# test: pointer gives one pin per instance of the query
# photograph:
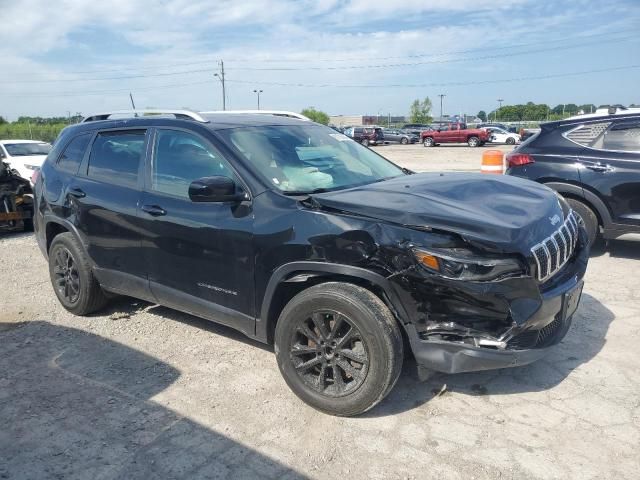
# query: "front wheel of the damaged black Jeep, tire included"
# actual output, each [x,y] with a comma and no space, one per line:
[367,369]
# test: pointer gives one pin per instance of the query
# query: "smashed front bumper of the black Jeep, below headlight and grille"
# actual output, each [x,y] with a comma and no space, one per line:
[506,318]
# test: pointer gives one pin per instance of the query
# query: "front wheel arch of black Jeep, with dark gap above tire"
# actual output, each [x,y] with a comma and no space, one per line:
[292,278]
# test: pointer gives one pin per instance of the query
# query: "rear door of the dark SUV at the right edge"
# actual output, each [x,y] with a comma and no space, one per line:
[611,168]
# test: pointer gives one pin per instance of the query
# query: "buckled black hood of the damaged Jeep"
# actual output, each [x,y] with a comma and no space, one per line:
[509,212]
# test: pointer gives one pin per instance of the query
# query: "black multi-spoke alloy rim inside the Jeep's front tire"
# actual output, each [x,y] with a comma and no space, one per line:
[329,354]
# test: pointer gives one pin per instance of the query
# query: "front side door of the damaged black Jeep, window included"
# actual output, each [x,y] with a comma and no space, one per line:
[199,255]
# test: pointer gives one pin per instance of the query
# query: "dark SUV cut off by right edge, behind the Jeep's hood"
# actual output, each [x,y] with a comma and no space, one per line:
[594,162]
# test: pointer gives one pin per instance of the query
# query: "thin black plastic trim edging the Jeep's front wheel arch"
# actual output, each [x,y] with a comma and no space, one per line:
[287,270]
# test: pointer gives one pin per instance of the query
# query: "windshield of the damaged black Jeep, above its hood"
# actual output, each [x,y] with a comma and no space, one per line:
[309,158]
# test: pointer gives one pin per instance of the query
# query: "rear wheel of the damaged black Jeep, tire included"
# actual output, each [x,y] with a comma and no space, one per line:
[72,278]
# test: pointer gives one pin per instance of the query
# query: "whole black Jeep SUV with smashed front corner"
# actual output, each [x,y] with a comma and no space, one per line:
[297,235]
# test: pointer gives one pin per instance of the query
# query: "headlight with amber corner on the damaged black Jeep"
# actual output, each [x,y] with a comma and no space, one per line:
[460,264]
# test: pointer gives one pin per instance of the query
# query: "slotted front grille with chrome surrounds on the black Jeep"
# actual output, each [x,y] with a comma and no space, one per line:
[554,251]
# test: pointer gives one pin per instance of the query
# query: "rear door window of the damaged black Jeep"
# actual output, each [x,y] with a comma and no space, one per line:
[115,157]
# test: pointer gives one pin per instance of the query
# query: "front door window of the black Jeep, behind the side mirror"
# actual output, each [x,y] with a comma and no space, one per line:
[179,158]
